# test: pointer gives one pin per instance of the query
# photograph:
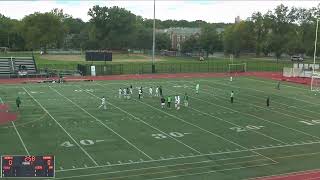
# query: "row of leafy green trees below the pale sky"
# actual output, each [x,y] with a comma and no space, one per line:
[282,30]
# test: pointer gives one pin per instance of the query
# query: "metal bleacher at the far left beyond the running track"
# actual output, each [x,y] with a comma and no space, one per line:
[10,66]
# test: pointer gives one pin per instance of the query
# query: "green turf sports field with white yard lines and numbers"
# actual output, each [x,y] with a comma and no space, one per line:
[136,139]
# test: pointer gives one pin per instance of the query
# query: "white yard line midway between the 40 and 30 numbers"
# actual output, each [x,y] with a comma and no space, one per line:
[106,126]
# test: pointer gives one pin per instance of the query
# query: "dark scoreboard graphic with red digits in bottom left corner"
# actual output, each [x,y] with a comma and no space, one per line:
[27,166]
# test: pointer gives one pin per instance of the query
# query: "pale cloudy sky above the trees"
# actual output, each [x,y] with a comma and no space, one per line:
[212,11]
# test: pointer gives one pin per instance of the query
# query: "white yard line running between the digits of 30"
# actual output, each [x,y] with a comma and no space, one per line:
[157,129]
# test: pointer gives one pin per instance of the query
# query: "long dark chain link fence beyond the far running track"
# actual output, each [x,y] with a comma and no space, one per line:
[185,67]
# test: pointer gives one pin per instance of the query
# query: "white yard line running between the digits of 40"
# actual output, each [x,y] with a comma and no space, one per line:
[81,148]
